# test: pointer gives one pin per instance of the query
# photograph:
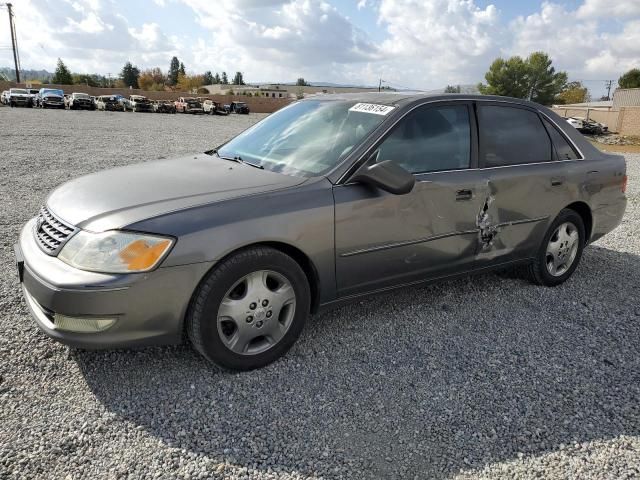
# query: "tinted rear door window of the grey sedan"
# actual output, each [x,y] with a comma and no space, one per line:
[511,136]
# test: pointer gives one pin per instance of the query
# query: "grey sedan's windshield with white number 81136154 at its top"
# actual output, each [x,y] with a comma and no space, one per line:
[307,138]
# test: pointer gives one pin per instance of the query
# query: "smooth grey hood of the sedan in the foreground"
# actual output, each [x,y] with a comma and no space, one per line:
[121,196]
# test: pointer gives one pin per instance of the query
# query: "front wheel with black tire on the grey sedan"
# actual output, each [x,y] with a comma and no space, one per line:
[250,309]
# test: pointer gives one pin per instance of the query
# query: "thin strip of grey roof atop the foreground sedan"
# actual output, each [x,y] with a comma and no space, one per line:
[406,97]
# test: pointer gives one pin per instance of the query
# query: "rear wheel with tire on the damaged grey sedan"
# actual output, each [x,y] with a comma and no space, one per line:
[561,250]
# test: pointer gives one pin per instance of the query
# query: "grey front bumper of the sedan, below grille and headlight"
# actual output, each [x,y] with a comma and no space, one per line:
[149,308]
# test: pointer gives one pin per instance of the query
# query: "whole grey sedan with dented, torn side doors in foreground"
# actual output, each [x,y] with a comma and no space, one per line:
[324,201]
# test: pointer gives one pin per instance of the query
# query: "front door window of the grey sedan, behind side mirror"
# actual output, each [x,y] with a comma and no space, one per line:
[430,139]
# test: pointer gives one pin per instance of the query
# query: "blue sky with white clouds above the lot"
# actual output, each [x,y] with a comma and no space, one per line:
[418,44]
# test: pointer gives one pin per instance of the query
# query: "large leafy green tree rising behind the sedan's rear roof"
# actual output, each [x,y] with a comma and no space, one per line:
[534,78]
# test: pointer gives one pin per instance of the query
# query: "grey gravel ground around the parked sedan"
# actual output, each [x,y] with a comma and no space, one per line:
[485,377]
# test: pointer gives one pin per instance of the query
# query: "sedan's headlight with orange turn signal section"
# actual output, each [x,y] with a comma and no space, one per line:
[115,252]
